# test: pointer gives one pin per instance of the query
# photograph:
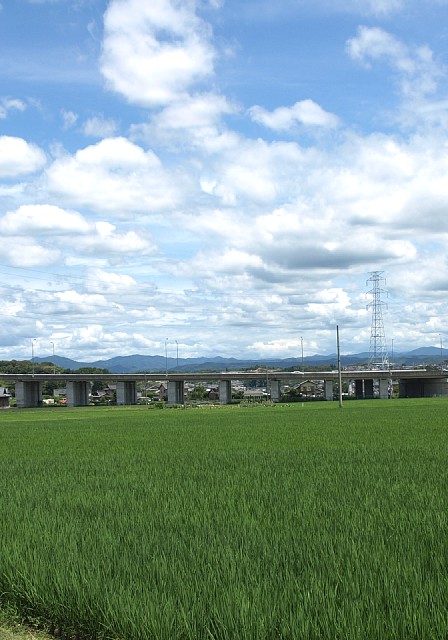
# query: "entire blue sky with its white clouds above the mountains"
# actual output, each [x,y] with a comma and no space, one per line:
[223,174]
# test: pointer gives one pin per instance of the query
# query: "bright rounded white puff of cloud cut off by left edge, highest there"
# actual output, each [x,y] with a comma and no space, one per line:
[19,157]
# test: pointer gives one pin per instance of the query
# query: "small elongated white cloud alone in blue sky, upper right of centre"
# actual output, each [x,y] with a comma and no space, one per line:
[306,113]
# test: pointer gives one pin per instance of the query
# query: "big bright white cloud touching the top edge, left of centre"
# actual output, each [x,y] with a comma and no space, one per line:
[155,52]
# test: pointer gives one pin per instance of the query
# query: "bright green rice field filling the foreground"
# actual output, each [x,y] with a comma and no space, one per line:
[287,522]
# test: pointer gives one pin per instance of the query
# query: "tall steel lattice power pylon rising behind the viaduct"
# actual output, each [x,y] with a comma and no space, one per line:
[378,356]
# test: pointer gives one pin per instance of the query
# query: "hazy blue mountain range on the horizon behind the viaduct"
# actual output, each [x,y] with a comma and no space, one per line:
[154,364]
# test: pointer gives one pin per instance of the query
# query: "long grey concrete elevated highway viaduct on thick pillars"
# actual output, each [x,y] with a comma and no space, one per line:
[412,383]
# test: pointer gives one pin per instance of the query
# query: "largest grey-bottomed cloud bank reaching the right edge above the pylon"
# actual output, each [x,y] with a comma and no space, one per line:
[285,211]
